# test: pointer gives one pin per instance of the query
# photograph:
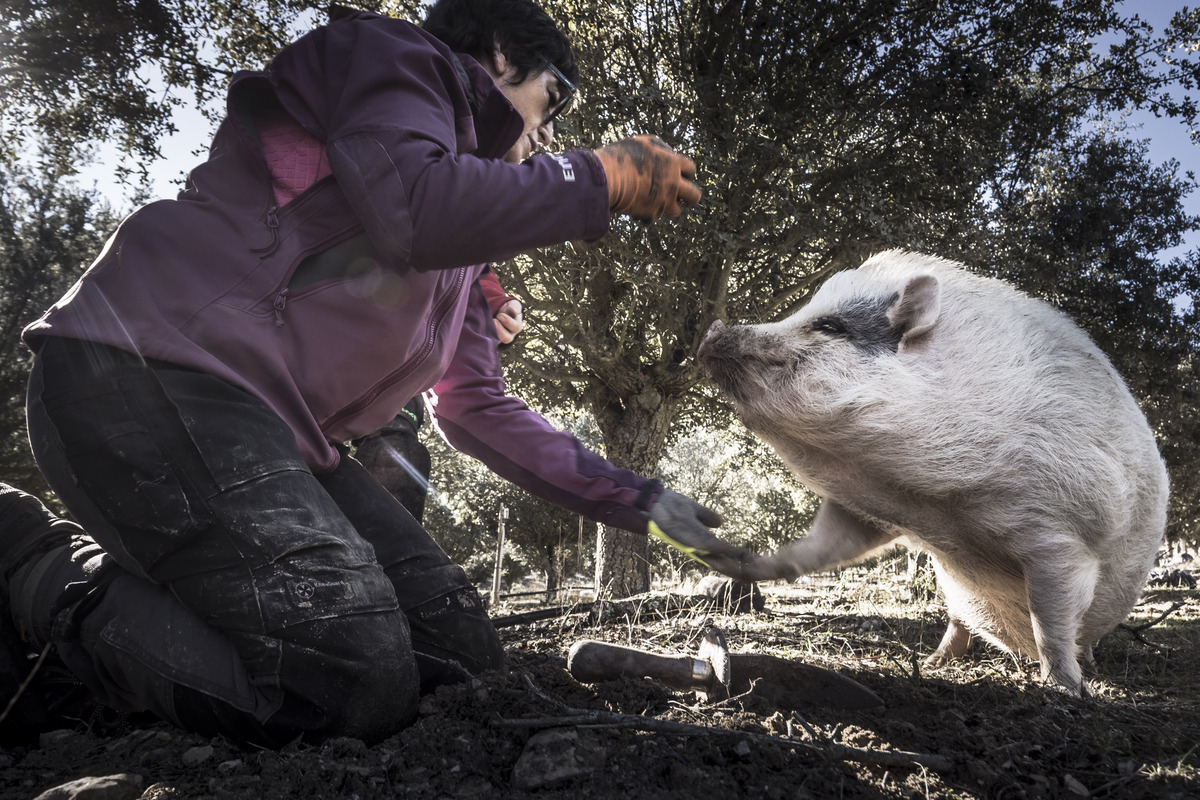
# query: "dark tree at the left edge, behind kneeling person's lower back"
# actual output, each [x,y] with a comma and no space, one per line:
[50,232]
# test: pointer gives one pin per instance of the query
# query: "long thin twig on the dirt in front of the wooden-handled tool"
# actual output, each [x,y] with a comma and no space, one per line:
[890,759]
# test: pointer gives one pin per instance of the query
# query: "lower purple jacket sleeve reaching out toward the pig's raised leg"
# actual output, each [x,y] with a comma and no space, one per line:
[479,419]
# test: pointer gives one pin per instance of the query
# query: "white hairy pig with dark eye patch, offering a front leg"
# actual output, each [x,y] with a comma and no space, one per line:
[950,412]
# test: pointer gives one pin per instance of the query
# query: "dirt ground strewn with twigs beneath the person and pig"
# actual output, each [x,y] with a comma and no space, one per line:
[983,727]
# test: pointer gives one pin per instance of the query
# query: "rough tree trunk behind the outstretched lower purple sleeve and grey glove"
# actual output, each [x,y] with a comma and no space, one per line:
[635,434]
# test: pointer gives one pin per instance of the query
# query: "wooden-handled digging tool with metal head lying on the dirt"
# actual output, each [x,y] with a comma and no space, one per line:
[717,673]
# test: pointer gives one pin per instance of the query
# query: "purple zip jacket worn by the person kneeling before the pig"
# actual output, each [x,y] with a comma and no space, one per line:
[362,292]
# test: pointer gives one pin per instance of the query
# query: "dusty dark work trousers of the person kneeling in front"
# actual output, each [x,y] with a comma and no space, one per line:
[238,593]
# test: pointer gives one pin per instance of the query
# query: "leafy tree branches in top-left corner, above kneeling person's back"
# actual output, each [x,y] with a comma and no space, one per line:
[77,73]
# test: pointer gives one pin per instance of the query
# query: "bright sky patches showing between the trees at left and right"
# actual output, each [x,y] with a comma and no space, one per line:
[1168,140]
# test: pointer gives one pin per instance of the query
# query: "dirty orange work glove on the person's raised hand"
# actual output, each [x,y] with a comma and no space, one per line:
[647,179]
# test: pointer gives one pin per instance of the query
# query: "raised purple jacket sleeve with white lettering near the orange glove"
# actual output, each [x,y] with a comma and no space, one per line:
[399,118]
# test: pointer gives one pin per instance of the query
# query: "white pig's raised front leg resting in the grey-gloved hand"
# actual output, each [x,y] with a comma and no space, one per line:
[837,538]
